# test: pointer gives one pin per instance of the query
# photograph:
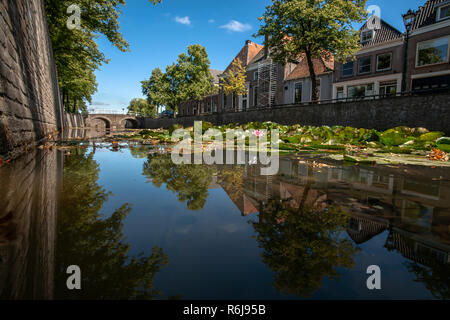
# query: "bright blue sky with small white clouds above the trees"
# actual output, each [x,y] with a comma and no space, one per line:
[157,34]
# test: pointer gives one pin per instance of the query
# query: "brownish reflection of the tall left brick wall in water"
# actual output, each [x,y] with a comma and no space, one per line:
[29,195]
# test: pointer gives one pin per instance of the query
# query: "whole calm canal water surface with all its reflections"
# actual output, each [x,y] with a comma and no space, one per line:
[140,227]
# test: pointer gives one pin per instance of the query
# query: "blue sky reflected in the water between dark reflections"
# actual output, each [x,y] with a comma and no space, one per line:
[212,251]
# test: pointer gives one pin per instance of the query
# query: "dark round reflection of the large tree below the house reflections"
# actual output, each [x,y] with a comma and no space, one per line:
[303,248]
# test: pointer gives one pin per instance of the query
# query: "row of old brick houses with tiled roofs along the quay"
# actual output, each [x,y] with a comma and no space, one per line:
[390,62]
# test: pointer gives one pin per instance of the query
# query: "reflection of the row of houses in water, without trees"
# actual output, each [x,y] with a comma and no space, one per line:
[375,197]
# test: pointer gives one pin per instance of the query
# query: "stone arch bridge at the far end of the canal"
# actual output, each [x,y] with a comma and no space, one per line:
[112,121]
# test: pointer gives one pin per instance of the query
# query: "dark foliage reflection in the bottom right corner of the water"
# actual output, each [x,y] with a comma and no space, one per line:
[436,278]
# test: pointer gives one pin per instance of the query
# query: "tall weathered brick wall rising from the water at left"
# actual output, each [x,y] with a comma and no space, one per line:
[30,108]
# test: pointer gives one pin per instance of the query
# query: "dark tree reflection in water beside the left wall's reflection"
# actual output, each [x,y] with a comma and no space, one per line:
[95,243]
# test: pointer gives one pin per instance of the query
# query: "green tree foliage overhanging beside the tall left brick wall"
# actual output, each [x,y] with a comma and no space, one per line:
[76,52]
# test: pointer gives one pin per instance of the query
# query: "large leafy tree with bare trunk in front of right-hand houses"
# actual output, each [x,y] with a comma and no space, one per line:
[315,28]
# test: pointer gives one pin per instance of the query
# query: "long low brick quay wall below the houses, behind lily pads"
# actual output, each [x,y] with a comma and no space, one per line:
[430,111]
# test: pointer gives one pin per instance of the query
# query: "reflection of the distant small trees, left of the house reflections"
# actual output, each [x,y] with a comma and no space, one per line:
[189,182]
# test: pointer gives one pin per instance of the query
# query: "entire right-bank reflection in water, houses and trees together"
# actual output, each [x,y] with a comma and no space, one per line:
[304,211]
